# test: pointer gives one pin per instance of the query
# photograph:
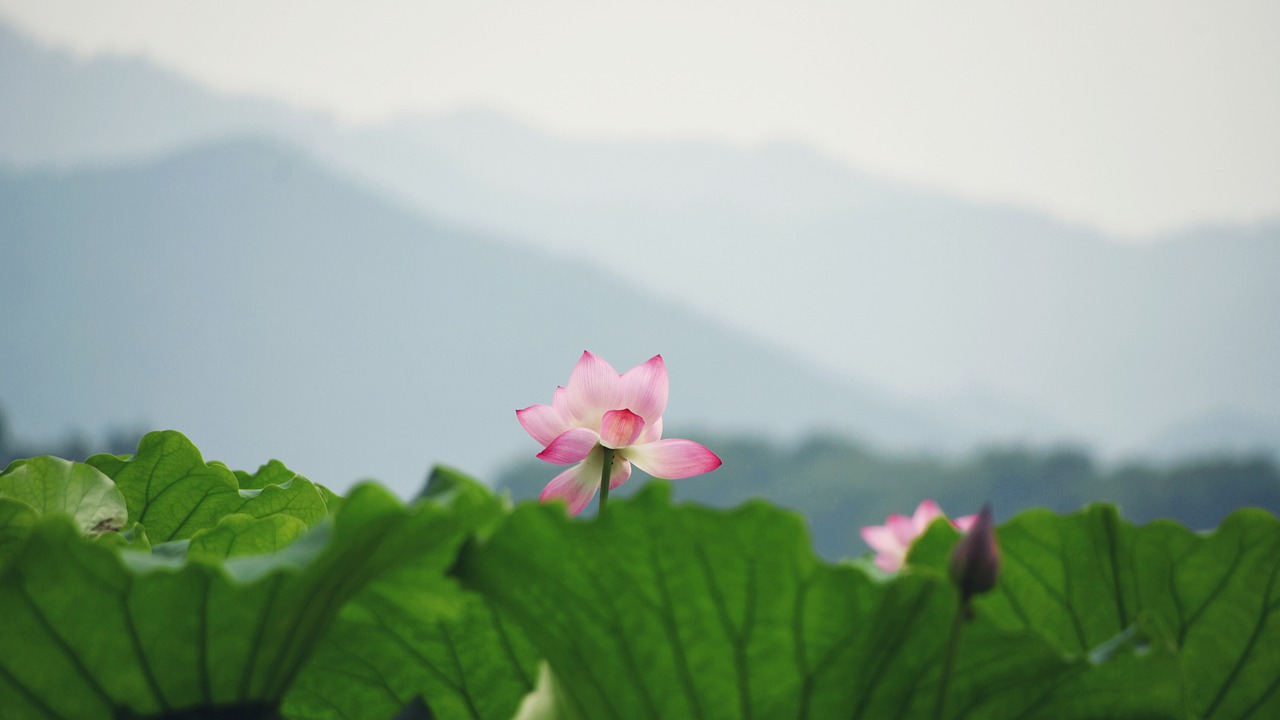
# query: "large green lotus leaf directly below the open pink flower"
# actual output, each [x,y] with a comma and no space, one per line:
[661,612]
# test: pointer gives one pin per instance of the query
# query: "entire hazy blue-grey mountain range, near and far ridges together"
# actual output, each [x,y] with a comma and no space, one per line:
[380,299]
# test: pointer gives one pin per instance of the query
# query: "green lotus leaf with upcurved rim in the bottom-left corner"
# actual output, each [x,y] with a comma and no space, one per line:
[93,634]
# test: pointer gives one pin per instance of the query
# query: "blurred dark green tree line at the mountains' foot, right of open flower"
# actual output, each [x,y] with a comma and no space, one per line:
[840,485]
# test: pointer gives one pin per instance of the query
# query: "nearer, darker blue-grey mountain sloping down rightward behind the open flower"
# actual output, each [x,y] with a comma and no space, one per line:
[243,294]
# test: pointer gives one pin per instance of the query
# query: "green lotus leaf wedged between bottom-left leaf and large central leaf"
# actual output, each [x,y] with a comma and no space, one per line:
[397,641]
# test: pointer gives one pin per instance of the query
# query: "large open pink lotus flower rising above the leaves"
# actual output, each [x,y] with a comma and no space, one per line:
[601,409]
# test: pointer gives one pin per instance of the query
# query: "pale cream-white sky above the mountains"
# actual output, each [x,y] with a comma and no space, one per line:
[1135,117]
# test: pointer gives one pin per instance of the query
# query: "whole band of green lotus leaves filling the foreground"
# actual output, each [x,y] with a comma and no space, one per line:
[272,599]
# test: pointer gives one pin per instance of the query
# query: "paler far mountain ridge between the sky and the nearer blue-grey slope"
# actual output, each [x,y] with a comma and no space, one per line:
[994,320]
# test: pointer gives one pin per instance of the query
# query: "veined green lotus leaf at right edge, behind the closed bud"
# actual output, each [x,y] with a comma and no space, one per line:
[1081,580]
